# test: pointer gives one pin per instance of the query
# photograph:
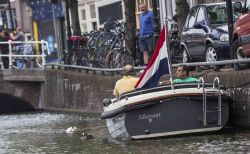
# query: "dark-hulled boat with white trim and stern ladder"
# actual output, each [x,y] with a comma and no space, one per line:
[163,111]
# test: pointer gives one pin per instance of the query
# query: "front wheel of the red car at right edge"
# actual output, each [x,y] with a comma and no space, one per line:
[237,53]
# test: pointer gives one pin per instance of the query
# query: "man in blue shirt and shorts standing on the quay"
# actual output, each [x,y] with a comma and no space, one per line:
[146,32]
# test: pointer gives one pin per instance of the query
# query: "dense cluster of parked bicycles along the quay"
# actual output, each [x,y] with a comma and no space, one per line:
[91,49]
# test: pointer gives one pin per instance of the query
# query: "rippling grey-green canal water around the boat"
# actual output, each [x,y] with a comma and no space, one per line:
[43,132]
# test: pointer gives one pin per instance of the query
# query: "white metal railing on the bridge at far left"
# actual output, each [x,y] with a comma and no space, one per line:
[12,55]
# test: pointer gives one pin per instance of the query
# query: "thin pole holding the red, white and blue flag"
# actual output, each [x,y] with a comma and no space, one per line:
[169,58]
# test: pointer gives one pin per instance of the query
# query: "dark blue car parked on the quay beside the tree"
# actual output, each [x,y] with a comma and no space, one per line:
[205,33]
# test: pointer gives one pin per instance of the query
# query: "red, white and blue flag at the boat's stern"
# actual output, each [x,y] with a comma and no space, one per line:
[157,66]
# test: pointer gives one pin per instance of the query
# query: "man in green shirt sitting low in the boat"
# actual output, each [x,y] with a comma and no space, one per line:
[182,74]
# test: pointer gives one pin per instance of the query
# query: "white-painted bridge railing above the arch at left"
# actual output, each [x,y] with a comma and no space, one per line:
[13,53]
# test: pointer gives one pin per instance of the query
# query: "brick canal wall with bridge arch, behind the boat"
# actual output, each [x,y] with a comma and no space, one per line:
[78,89]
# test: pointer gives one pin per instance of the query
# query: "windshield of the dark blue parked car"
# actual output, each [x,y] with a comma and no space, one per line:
[217,14]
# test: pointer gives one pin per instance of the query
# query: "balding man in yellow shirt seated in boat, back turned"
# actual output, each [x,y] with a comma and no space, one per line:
[127,83]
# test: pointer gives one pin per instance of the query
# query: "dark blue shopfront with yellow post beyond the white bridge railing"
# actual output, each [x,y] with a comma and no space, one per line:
[48,24]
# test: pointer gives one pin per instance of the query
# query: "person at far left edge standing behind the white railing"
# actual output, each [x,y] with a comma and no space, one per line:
[5,37]
